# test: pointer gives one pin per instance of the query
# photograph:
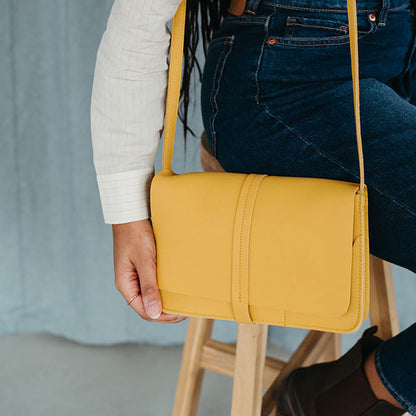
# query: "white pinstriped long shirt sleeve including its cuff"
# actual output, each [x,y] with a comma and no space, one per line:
[128,105]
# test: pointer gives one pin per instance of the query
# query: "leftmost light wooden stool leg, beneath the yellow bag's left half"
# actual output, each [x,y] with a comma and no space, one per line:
[191,374]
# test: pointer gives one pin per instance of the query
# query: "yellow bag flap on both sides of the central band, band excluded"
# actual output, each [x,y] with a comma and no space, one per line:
[301,230]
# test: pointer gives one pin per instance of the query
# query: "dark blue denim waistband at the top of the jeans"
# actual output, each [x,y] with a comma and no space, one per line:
[330,5]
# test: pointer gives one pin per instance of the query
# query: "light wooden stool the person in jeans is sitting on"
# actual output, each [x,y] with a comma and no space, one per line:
[247,362]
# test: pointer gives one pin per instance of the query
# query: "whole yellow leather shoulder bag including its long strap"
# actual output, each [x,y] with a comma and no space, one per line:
[253,248]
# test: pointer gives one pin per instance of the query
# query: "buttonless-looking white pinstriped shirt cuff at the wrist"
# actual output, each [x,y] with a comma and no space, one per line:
[125,196]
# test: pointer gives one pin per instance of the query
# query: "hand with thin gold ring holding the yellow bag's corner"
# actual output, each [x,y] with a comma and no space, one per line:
[134,250]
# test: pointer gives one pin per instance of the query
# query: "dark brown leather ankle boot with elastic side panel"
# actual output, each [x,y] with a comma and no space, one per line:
[336,388]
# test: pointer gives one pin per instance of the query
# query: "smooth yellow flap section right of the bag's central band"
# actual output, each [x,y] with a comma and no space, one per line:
[301,242]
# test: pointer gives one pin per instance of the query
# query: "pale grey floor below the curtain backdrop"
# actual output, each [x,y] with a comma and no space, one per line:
[44,375]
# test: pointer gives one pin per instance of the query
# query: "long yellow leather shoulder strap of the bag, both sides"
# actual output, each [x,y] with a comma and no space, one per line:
[174,82]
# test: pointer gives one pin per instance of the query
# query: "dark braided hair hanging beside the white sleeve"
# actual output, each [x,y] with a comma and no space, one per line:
[209,14]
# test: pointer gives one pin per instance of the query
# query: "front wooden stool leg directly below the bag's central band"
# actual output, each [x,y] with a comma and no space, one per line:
[249,366]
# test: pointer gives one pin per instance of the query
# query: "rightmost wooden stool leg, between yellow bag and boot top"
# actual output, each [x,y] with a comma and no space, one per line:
[383,310]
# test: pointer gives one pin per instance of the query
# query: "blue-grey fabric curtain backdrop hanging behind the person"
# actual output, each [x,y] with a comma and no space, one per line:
[56,272]
